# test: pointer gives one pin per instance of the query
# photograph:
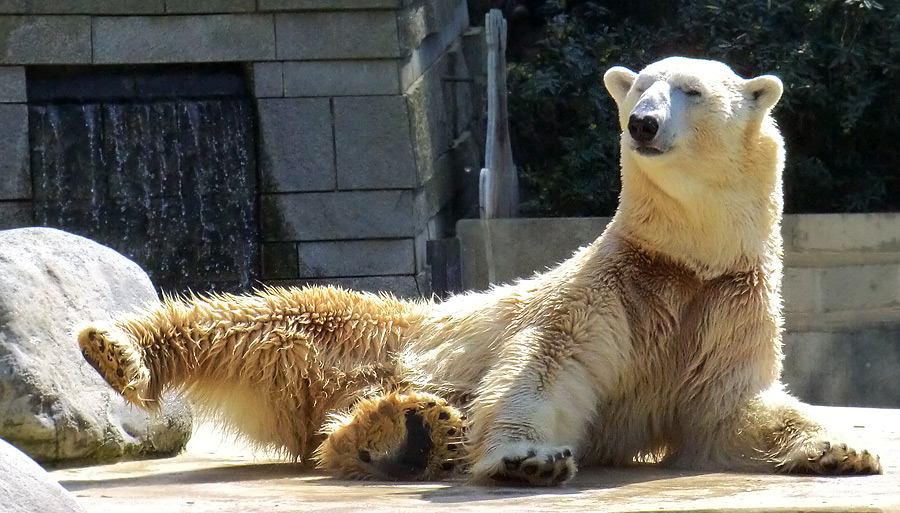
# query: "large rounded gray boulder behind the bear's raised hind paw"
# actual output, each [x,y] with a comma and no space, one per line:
[53,405]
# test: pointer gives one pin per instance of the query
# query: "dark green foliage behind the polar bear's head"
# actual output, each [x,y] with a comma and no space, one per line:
[840,114]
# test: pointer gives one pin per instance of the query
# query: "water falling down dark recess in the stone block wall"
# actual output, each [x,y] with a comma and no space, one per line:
[170,183]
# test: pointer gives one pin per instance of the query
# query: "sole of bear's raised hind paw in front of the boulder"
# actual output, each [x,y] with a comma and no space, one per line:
[118,361]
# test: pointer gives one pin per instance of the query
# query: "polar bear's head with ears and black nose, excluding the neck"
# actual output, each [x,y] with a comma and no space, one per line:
[681,110]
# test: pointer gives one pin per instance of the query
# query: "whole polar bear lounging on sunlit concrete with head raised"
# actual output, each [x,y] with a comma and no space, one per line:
[659,342]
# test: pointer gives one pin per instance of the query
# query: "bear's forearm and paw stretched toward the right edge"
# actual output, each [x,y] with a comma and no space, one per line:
[775,433]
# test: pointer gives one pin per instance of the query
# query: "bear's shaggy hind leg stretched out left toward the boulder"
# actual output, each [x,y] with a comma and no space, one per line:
[272,364]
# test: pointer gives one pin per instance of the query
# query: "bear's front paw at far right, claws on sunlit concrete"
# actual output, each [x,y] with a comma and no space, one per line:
[829,457]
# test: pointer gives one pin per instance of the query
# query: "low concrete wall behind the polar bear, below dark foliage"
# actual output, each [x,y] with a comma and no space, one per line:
[841,293]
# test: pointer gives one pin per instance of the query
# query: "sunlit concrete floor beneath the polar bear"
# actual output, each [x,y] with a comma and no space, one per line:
[216,474]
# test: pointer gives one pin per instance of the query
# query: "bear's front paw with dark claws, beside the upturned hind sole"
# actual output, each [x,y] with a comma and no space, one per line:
[526,463]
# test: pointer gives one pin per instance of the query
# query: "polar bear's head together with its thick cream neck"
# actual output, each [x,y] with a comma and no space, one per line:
[701,158]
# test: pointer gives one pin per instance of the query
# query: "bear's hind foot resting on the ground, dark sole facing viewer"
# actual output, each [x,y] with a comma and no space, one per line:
[398,436]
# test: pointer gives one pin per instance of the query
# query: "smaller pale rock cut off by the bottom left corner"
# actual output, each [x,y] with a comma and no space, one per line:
[26,488]
